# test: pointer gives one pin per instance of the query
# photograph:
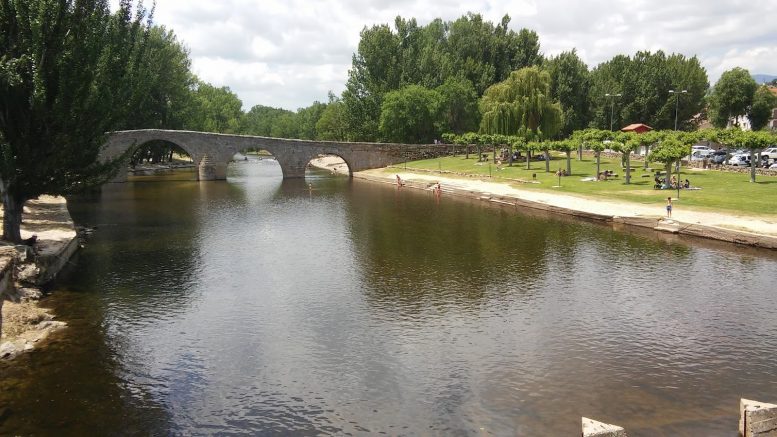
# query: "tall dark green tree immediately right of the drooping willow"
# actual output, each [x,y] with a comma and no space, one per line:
[570,85]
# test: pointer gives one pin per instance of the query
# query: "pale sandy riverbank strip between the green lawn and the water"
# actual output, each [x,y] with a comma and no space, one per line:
[746,230]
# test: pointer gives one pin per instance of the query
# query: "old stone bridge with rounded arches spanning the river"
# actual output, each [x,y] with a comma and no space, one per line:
[212,152]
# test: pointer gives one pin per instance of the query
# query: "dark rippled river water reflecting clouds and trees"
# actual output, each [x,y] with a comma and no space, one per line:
[260,306]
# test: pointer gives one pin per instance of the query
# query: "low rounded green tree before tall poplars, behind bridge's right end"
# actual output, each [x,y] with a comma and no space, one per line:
[411,115]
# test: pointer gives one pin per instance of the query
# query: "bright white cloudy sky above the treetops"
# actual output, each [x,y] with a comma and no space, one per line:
[289,53]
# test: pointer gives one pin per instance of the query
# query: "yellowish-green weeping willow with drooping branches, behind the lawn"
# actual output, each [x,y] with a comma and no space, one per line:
[521,103]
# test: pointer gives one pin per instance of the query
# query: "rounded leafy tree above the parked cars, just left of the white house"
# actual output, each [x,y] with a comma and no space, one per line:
[731,97]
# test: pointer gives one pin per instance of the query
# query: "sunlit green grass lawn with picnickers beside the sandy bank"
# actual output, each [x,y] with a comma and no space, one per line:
[720,190]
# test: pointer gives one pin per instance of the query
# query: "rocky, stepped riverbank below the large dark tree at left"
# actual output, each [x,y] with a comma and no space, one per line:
[24,324]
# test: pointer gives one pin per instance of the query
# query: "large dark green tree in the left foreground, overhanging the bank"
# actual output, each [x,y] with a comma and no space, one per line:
[69,72]
